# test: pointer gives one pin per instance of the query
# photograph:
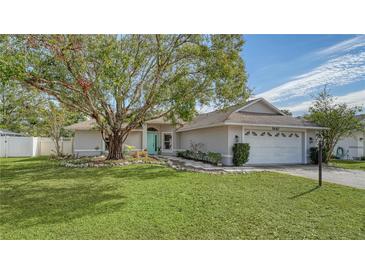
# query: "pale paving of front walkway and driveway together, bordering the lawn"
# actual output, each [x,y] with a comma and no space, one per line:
[347,177]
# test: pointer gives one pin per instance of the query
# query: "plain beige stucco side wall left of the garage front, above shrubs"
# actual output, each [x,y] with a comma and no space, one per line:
[214,139]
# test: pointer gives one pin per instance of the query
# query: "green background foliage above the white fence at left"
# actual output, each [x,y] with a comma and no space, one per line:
[26,111]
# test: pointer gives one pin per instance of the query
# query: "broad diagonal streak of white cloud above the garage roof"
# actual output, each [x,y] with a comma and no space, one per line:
[338,71]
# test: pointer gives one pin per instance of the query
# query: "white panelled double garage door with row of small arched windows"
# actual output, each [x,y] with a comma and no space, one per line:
[274,147]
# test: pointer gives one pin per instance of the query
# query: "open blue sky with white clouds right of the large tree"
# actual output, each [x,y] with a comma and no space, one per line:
[288,70]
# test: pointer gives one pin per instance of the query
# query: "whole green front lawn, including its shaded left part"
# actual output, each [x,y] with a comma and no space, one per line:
[41,200]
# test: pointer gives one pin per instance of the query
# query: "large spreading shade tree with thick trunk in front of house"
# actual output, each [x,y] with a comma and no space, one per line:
[123,80]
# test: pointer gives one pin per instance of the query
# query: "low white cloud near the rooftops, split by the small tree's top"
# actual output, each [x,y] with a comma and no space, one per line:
[353,99]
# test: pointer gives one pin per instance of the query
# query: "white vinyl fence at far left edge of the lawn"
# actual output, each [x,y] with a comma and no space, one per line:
[13,146]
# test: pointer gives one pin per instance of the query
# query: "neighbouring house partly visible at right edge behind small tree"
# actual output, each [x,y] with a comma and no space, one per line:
[352,147]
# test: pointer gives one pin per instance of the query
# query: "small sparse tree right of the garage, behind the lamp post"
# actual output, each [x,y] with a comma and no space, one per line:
[338,118]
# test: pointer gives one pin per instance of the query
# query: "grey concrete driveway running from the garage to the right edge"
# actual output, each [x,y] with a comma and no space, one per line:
[347,177]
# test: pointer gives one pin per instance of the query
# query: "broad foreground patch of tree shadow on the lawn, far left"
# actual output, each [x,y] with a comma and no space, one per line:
[28,204]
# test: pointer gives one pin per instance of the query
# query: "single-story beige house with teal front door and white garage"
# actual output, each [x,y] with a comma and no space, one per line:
[274,137]
